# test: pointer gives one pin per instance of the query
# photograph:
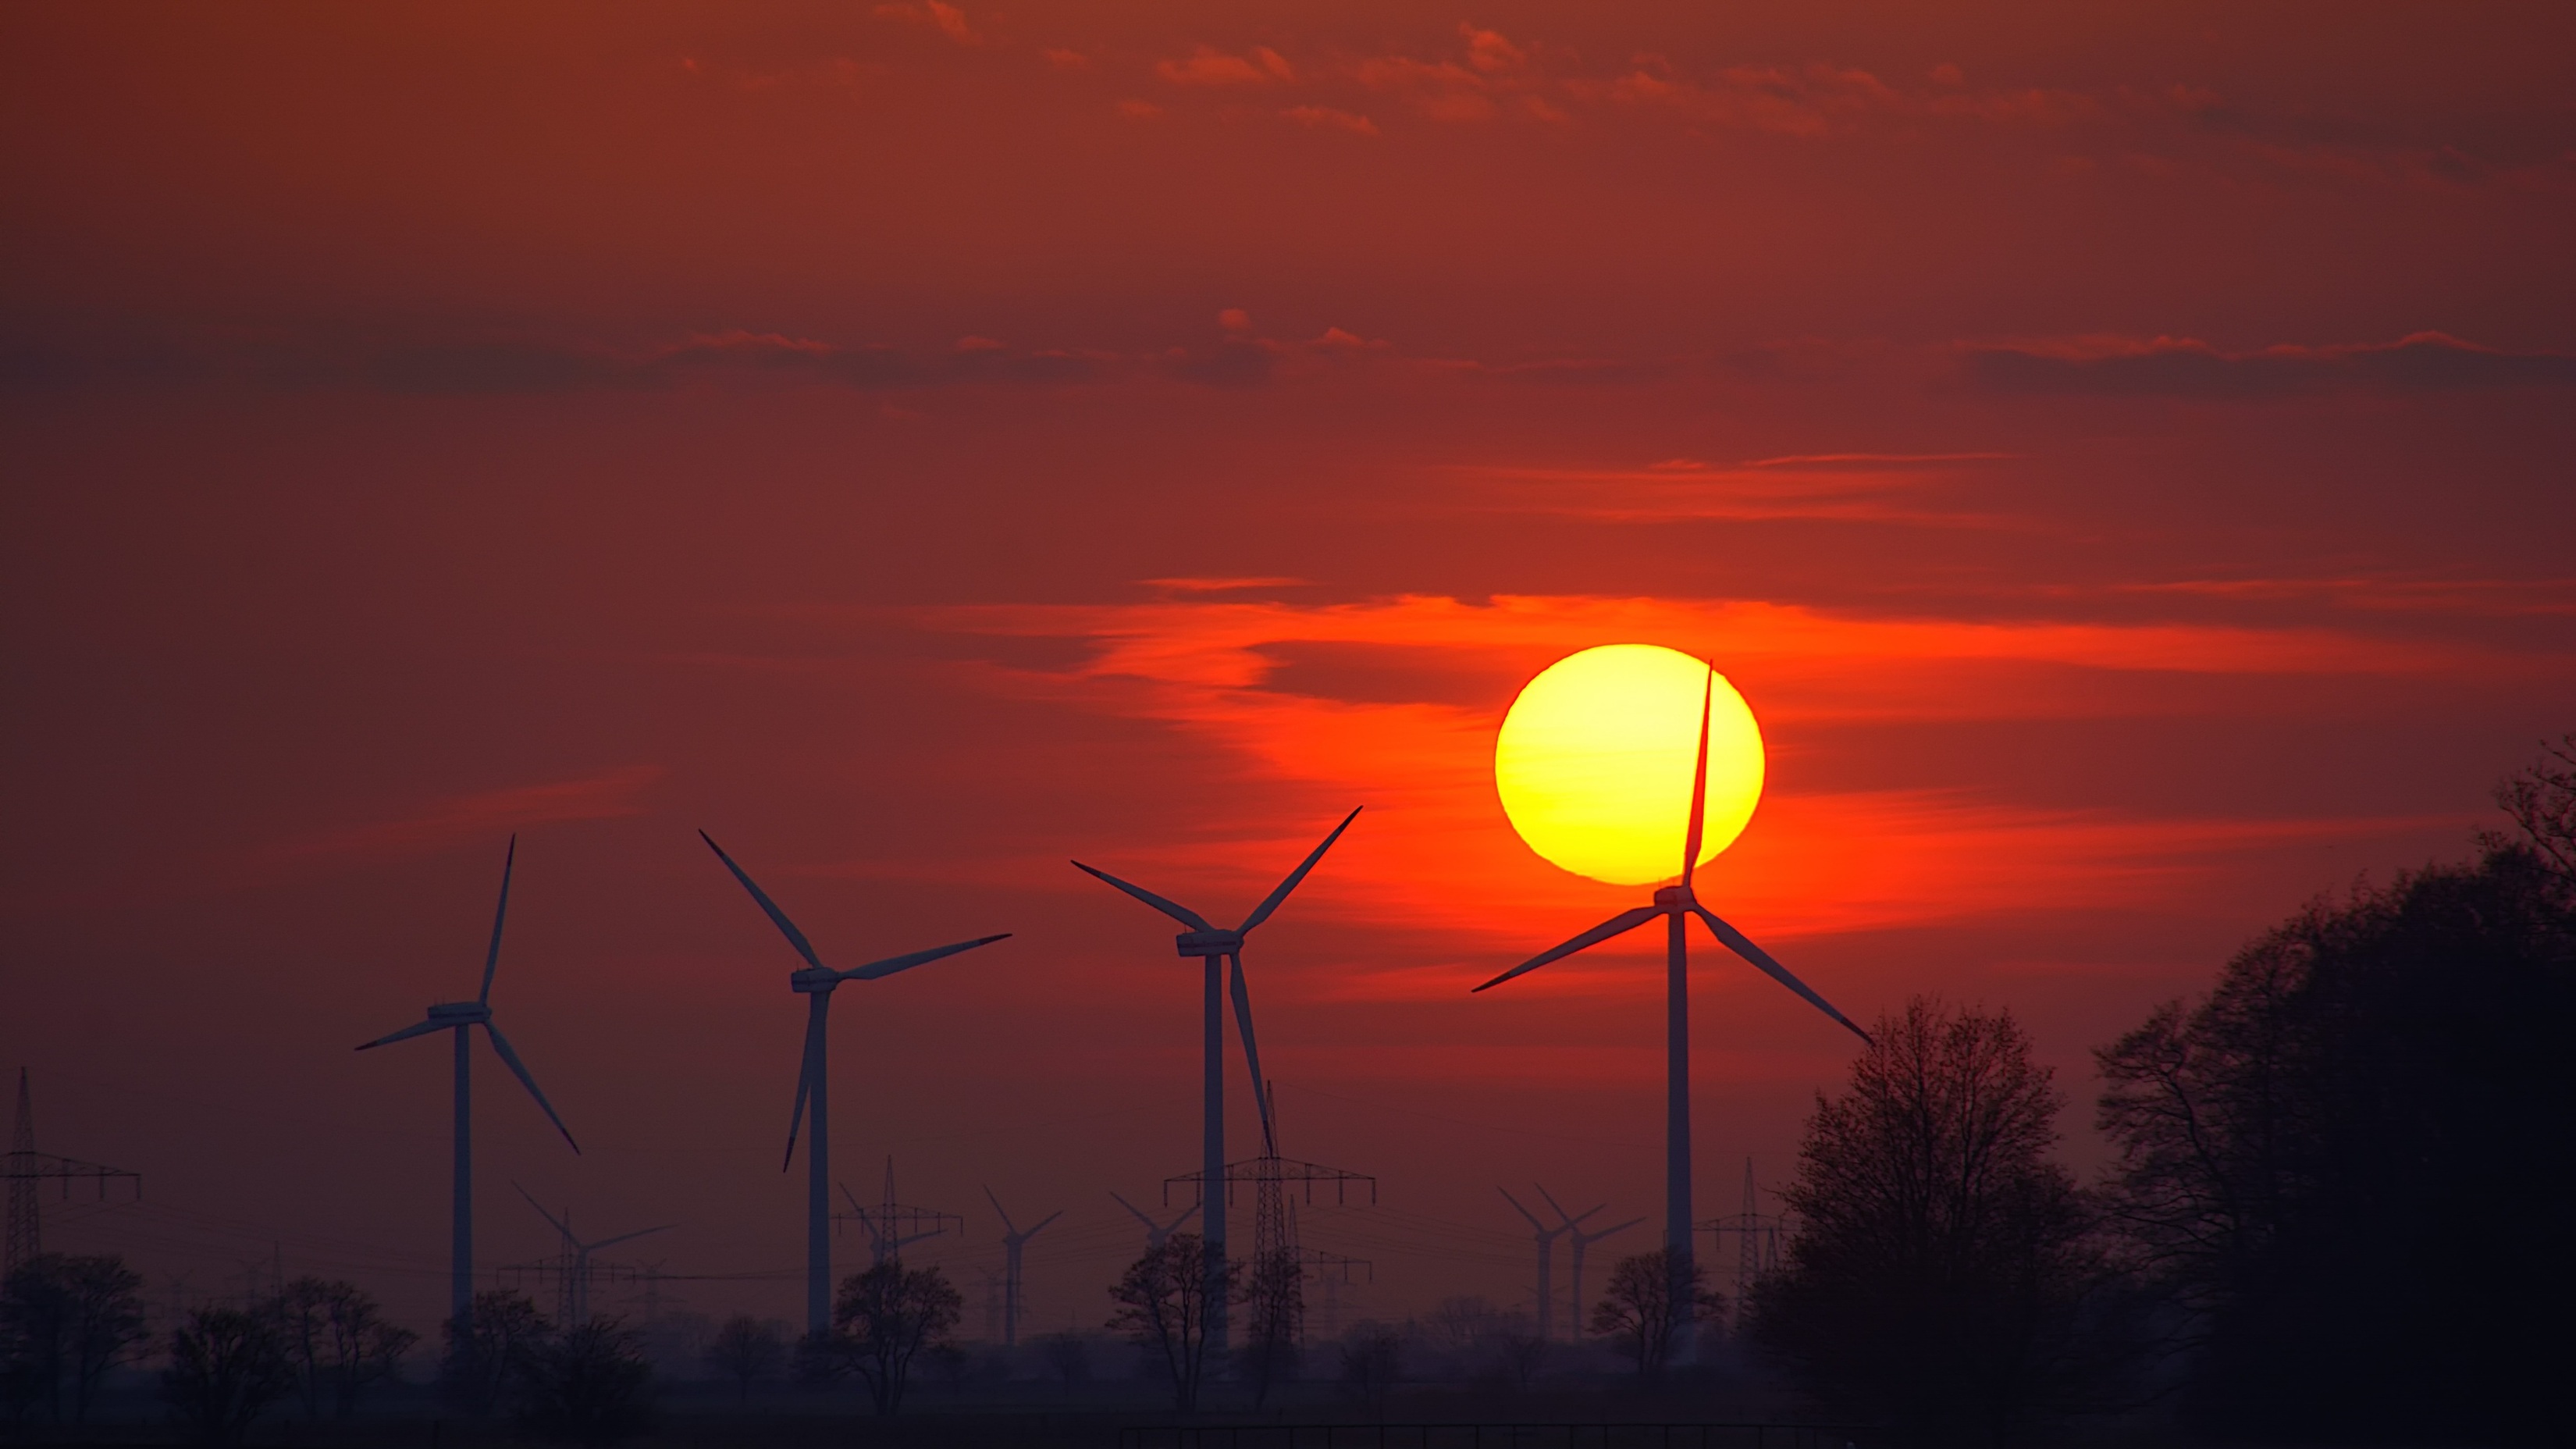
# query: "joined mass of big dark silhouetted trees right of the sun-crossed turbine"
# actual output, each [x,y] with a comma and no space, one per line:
[2338,1208]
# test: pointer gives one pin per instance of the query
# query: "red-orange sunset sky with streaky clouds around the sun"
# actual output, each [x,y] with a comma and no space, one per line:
[2119,455]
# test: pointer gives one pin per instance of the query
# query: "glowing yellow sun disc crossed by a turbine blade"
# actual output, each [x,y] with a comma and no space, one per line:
[1596,757]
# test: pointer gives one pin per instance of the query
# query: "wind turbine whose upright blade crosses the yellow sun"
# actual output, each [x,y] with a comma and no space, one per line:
[1676,904]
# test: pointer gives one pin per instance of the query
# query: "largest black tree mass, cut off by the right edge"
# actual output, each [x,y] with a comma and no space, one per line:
[2351,1164]
